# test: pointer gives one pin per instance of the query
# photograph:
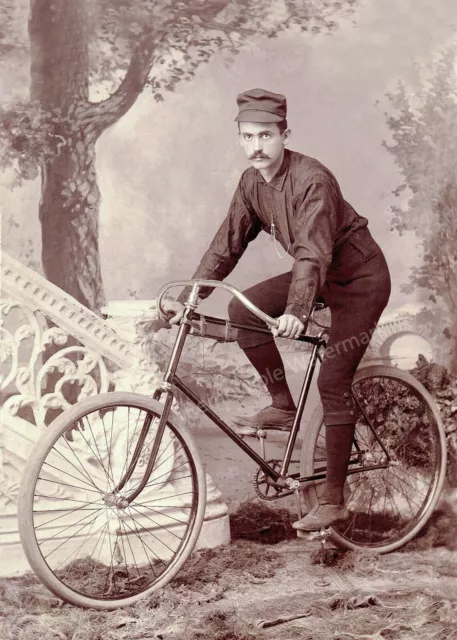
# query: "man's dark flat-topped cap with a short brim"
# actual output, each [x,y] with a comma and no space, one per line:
[259,105]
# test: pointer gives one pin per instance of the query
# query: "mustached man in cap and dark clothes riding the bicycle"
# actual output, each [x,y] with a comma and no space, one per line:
[298,201]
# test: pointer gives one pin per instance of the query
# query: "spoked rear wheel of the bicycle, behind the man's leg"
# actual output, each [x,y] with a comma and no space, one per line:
[387,506]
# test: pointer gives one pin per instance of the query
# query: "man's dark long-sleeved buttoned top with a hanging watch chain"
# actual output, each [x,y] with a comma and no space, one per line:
[310,215]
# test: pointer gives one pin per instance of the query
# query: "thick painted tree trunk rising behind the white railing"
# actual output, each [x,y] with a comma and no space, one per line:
[69,206]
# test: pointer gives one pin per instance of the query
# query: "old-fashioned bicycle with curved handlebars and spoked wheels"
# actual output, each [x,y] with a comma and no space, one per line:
[111,514]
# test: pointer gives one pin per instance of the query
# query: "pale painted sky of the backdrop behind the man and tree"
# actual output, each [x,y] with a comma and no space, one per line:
[166,170]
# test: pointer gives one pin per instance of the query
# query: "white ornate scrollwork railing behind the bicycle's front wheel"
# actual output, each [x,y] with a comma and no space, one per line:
[89,357]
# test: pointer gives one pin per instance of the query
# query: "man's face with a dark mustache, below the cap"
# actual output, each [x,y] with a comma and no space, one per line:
[262,143]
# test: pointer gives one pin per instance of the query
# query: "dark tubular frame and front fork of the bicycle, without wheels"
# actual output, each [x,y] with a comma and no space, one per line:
[171,380]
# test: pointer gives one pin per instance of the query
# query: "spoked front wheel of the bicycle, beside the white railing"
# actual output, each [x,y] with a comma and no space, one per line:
[82,538]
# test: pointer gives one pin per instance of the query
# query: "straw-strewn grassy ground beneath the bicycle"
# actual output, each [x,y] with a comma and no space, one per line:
[243,592]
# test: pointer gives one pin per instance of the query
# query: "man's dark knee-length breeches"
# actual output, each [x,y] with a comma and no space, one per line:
[357,290]
